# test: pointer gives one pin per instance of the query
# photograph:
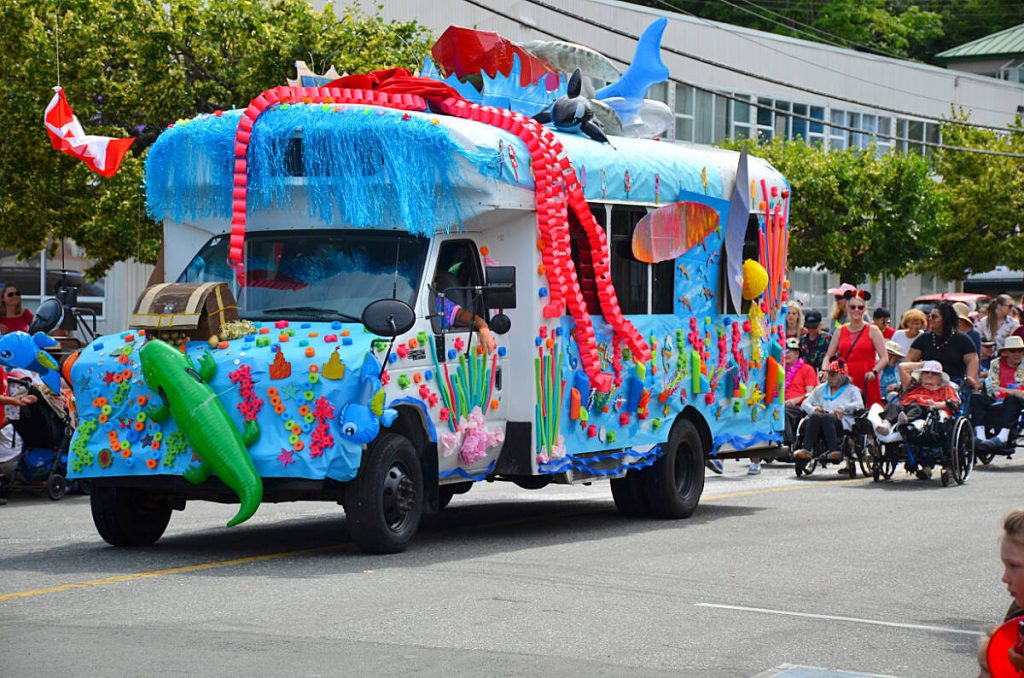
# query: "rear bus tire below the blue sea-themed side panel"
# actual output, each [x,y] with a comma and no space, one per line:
[675,482]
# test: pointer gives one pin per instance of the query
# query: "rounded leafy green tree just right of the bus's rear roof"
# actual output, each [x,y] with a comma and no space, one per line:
[856,213]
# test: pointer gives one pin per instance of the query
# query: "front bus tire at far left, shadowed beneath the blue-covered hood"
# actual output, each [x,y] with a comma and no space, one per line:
[126,517]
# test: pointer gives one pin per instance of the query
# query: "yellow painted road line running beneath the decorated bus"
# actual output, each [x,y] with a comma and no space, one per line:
[185,570]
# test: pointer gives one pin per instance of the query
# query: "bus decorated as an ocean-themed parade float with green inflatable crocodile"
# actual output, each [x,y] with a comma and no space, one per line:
[336,248]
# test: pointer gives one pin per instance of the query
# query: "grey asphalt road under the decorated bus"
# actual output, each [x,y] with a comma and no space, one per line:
[771,574]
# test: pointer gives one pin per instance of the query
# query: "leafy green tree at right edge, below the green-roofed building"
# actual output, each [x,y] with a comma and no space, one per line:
[986,195]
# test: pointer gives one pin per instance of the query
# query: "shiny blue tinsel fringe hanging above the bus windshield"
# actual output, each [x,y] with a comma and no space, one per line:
[365,167]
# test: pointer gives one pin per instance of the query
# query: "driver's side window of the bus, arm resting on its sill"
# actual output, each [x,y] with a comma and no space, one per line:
[458,266]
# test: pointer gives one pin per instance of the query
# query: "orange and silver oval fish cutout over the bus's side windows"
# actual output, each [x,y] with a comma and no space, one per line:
[672,231]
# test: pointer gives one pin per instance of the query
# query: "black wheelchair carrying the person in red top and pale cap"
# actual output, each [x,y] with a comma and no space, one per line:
[949,444]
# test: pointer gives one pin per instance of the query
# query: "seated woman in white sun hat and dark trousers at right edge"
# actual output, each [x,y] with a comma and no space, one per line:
[999,409]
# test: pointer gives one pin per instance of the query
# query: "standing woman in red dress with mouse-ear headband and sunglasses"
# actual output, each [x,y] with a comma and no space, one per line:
[863,347]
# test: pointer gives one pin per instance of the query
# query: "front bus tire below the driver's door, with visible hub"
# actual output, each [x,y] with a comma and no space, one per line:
[385,502]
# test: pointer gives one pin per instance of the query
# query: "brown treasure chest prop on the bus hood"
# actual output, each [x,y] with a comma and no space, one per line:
[181,312]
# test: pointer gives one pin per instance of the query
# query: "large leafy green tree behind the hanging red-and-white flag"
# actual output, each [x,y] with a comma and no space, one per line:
[133,67]
